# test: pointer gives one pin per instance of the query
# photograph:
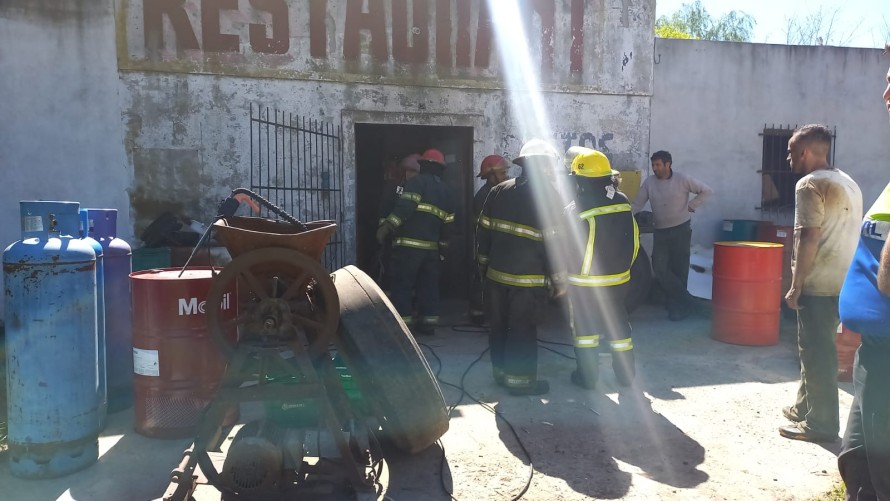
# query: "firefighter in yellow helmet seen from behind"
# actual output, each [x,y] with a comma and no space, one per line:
[599,269]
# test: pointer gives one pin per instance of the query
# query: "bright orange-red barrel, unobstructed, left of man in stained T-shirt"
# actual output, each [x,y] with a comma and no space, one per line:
[746,294]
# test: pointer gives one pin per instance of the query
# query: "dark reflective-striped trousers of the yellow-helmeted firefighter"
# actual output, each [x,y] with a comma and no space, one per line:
[598,313]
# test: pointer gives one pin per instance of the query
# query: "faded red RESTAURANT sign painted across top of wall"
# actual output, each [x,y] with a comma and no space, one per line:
[439,39]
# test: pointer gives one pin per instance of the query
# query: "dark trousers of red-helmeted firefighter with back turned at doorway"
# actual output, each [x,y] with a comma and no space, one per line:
[415,277]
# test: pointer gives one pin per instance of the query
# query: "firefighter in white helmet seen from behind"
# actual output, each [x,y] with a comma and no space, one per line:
[519,216]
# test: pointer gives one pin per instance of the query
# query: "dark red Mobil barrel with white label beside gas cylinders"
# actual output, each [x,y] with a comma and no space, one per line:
[177,366]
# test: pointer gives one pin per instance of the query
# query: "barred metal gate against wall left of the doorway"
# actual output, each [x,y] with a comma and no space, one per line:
[297,164]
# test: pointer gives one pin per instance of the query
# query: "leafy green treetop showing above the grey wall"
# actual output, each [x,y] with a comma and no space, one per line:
[694,21]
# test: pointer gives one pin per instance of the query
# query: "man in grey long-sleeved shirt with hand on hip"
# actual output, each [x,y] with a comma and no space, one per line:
[667,192]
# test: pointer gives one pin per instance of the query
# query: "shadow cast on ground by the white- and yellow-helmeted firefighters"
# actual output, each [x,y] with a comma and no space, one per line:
[594,443]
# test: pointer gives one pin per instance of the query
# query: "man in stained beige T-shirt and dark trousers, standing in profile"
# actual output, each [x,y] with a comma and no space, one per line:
[827,214]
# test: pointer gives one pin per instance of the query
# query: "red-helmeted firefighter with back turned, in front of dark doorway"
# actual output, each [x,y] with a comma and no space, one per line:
[419,226]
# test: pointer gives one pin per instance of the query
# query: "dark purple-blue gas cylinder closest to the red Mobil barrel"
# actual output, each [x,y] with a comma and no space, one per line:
[117,258]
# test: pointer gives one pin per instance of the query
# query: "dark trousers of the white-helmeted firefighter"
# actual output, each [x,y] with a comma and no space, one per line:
[513,317]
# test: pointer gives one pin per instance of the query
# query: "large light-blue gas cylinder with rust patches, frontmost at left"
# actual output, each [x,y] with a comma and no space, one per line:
[52,366]
